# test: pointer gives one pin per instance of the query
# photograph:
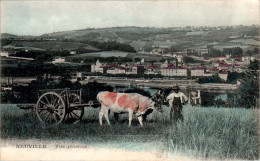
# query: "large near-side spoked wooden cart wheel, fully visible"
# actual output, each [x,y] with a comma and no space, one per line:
[51,108]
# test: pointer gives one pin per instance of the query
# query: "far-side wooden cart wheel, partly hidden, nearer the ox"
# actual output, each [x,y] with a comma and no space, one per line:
[74,114]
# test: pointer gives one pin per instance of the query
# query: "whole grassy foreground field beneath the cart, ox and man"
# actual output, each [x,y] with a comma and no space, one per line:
[205,133]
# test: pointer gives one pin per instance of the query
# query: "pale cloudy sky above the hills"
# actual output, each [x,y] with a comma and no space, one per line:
[40,17]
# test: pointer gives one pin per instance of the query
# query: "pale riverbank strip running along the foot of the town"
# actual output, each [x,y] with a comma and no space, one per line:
[153,83]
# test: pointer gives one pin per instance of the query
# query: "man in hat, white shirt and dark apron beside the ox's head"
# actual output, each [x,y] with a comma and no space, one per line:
[176,99]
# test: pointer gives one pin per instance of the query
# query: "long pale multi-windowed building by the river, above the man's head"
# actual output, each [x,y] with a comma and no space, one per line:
[174,71]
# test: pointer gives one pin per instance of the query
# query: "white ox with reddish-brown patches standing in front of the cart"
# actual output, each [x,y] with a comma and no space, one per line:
[133,103]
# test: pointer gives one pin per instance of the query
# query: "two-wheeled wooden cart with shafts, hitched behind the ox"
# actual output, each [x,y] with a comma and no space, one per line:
[55,106]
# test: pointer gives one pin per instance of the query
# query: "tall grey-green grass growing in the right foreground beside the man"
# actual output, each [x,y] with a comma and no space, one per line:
[216,133]
